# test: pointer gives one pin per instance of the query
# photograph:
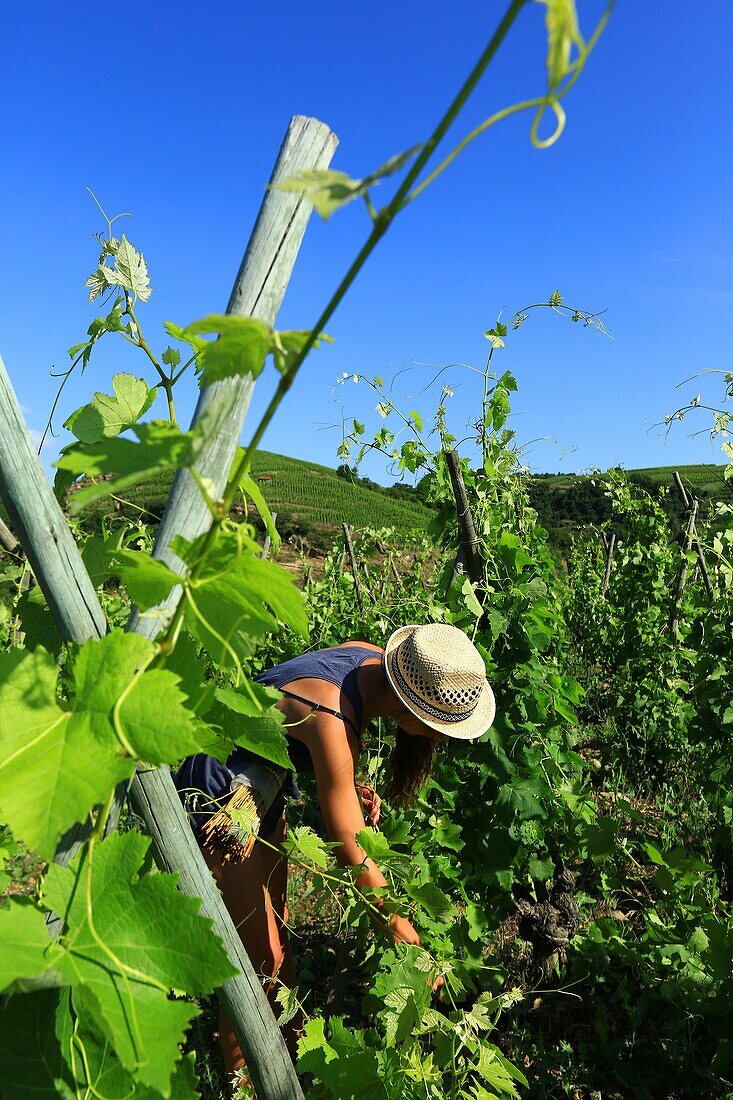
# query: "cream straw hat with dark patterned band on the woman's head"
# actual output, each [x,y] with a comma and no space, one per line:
[441,677]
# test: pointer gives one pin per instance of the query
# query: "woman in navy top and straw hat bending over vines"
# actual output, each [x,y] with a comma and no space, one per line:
[430,679]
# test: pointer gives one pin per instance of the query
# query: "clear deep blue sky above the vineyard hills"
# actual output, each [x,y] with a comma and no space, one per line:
[177,113]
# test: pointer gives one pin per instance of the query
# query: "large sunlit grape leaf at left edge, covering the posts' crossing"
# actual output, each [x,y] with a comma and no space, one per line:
[58,761]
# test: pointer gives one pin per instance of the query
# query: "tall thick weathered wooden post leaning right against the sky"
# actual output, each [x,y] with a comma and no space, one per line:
[258,292]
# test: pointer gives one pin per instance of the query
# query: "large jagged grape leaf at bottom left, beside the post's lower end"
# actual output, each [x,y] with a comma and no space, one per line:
[146,936]
